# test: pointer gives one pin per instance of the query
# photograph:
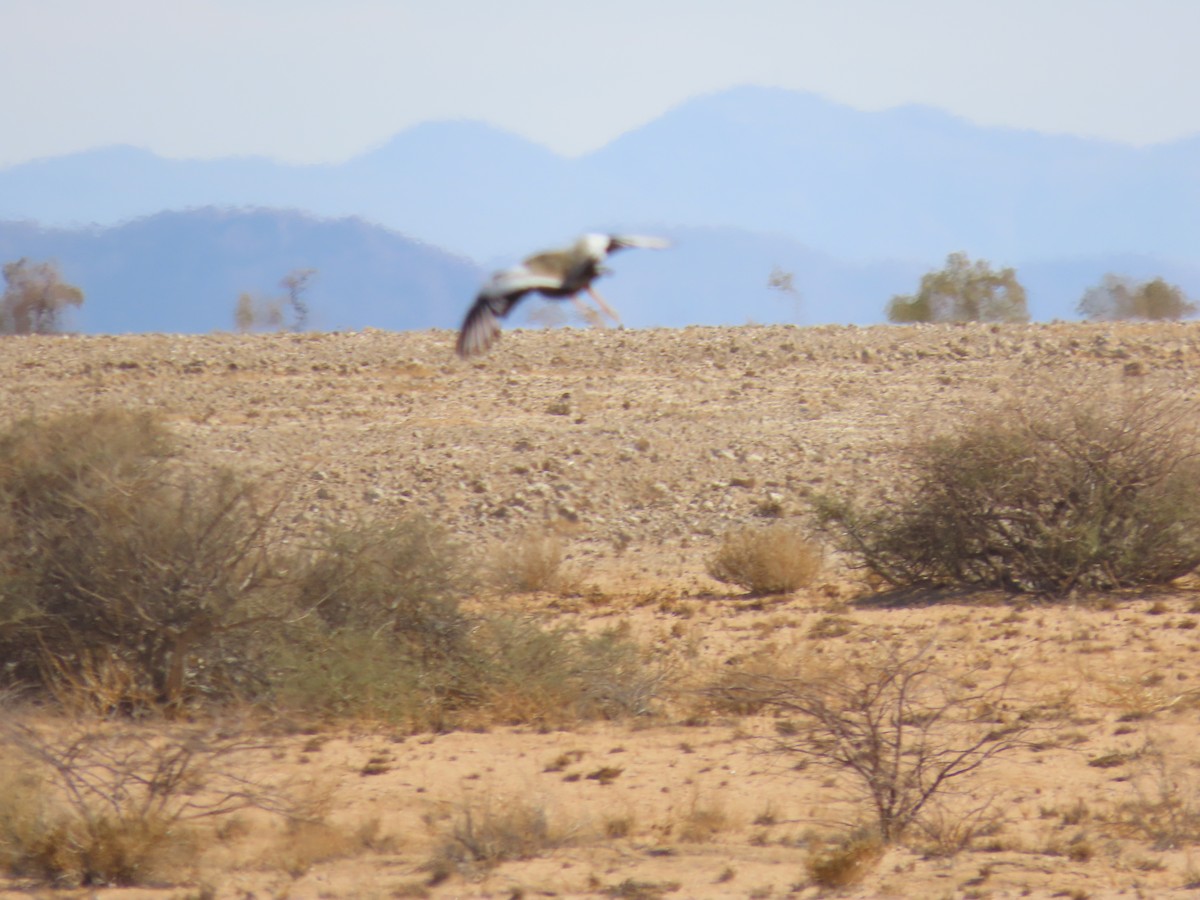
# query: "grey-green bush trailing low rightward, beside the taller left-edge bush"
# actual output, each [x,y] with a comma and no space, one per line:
[387,639]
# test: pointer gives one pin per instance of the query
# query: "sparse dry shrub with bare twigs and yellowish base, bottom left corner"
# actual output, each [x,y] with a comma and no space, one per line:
[99,805]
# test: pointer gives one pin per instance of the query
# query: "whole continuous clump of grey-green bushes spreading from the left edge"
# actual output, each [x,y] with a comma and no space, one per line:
[130,584]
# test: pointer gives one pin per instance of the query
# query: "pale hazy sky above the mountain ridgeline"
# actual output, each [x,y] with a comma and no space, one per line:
[321,81]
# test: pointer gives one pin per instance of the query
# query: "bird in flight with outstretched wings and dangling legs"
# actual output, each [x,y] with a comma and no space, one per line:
[557,274]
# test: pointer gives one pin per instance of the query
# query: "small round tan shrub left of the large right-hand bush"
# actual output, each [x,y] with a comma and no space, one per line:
[776,560]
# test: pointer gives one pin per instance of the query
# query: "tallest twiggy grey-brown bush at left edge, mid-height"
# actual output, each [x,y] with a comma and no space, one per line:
[125,583]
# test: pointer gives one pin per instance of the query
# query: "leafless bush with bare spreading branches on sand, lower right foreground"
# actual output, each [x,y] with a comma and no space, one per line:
[898,727]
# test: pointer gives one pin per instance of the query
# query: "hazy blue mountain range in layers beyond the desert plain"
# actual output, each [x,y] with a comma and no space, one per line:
[857,206]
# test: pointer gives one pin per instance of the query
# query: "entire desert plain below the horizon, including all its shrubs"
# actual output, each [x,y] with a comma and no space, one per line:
[760,613]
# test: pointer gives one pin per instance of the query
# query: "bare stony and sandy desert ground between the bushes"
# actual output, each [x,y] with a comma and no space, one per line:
[638,451]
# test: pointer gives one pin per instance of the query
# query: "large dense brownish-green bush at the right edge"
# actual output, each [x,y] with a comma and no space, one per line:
[1047,495]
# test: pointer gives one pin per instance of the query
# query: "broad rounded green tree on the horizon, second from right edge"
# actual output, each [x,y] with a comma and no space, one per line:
[963,292]
